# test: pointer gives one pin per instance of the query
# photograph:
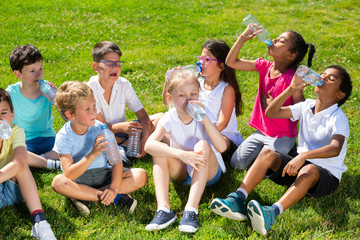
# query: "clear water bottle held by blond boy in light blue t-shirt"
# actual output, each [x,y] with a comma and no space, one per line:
[112,152]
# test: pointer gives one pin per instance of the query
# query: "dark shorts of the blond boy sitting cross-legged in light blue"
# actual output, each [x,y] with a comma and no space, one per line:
[96,177]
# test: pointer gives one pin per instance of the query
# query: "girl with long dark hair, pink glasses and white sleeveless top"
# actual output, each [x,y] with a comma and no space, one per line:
[219,91]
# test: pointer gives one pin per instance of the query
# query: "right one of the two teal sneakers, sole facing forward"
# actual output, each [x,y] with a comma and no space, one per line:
[262,218]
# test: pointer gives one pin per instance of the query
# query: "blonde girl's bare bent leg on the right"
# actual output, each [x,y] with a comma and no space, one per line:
[204,174]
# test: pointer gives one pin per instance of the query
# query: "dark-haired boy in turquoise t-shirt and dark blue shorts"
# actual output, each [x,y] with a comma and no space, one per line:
[33,110]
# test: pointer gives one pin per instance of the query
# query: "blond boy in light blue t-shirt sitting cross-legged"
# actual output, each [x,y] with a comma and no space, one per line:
[87,174]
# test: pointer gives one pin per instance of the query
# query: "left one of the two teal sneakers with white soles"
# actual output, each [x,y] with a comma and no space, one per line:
[230,207]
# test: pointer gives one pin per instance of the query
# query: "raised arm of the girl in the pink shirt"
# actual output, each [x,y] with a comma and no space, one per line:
[232,59]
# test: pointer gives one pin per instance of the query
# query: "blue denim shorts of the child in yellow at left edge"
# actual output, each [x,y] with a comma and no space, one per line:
[9,194]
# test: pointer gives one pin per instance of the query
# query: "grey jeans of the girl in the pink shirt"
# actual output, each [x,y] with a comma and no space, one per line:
[248,150]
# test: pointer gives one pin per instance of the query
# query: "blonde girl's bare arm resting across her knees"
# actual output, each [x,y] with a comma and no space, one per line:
[156,148]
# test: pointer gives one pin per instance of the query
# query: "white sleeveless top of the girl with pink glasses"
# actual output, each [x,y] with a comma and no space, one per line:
[212,100]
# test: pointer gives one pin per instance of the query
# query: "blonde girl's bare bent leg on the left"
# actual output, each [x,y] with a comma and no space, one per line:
[163,169]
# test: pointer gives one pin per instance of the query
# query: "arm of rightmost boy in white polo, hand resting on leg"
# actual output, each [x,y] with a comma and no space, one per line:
[328,151]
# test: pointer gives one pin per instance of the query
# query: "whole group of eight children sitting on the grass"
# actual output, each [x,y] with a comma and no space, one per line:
[184,150]
